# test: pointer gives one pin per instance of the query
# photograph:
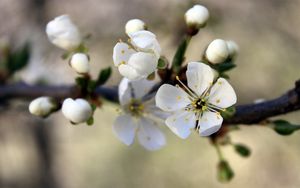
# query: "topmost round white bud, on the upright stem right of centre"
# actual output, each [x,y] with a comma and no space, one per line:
[197,16]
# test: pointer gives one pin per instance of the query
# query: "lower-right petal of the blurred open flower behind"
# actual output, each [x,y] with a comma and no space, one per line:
[150,136]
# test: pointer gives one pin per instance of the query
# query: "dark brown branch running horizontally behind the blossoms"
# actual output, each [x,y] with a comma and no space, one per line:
[245,114]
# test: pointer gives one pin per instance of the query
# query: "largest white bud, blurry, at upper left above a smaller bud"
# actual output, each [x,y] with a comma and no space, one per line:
[63,33]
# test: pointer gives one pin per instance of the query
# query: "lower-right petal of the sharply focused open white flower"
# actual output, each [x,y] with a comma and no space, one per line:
[210,123]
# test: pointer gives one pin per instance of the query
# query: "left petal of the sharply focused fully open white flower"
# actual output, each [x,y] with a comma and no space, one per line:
[171,98]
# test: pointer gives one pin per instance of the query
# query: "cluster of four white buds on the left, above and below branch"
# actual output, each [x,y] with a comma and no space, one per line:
[63,33]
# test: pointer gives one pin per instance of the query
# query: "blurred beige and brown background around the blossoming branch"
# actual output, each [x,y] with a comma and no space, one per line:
[53,153]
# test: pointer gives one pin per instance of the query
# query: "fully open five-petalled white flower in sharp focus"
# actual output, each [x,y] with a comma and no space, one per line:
[197,105]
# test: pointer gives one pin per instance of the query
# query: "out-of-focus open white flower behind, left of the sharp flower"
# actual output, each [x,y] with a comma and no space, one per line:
[138,116]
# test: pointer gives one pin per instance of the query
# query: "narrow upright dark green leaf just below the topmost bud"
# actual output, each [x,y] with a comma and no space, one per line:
[180,54]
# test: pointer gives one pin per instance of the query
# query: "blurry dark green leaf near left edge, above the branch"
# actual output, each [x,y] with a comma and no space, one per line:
[18,59]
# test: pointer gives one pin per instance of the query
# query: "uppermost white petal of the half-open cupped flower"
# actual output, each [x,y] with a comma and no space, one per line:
[146,41]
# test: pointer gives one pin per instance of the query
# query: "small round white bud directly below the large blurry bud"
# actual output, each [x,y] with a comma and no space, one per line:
[80,63]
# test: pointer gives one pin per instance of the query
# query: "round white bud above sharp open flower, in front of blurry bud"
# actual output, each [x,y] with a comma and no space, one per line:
[217,51]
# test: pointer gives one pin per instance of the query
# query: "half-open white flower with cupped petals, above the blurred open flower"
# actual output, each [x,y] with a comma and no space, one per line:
[138,58]
